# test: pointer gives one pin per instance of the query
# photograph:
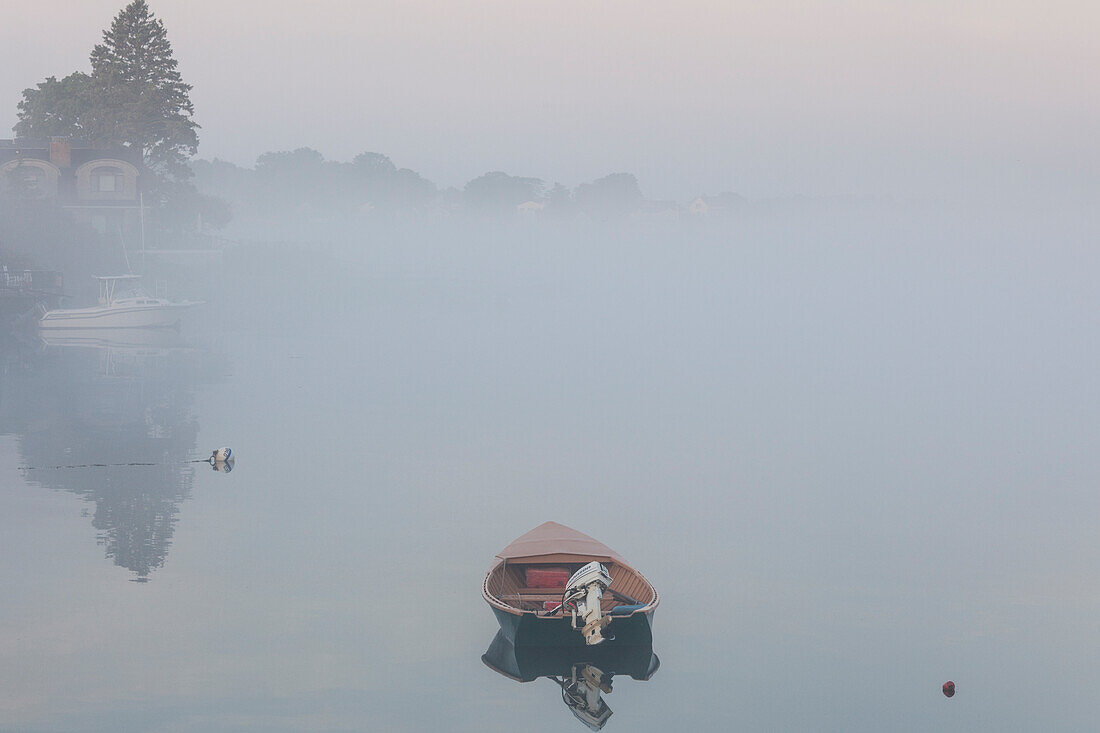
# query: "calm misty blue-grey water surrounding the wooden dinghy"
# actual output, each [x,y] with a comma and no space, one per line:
[856,461]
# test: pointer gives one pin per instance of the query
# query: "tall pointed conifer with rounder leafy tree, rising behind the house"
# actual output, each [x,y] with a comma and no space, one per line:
[135,97]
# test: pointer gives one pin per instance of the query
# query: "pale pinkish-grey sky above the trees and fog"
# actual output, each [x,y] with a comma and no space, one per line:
[764,99]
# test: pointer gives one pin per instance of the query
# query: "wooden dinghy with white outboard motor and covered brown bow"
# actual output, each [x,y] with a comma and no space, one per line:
[557,587]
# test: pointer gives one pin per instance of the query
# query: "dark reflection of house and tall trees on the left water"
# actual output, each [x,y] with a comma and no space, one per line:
[111,399]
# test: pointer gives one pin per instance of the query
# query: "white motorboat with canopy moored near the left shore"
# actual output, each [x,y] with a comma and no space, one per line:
[122,305]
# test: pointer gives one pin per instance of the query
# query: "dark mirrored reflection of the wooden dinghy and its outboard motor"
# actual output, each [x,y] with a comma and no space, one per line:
[584,674]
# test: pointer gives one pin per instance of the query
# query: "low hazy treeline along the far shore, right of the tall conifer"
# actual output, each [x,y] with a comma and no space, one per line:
[302,182]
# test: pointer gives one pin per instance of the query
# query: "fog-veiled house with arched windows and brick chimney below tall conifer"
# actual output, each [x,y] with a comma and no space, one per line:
[101,187]
